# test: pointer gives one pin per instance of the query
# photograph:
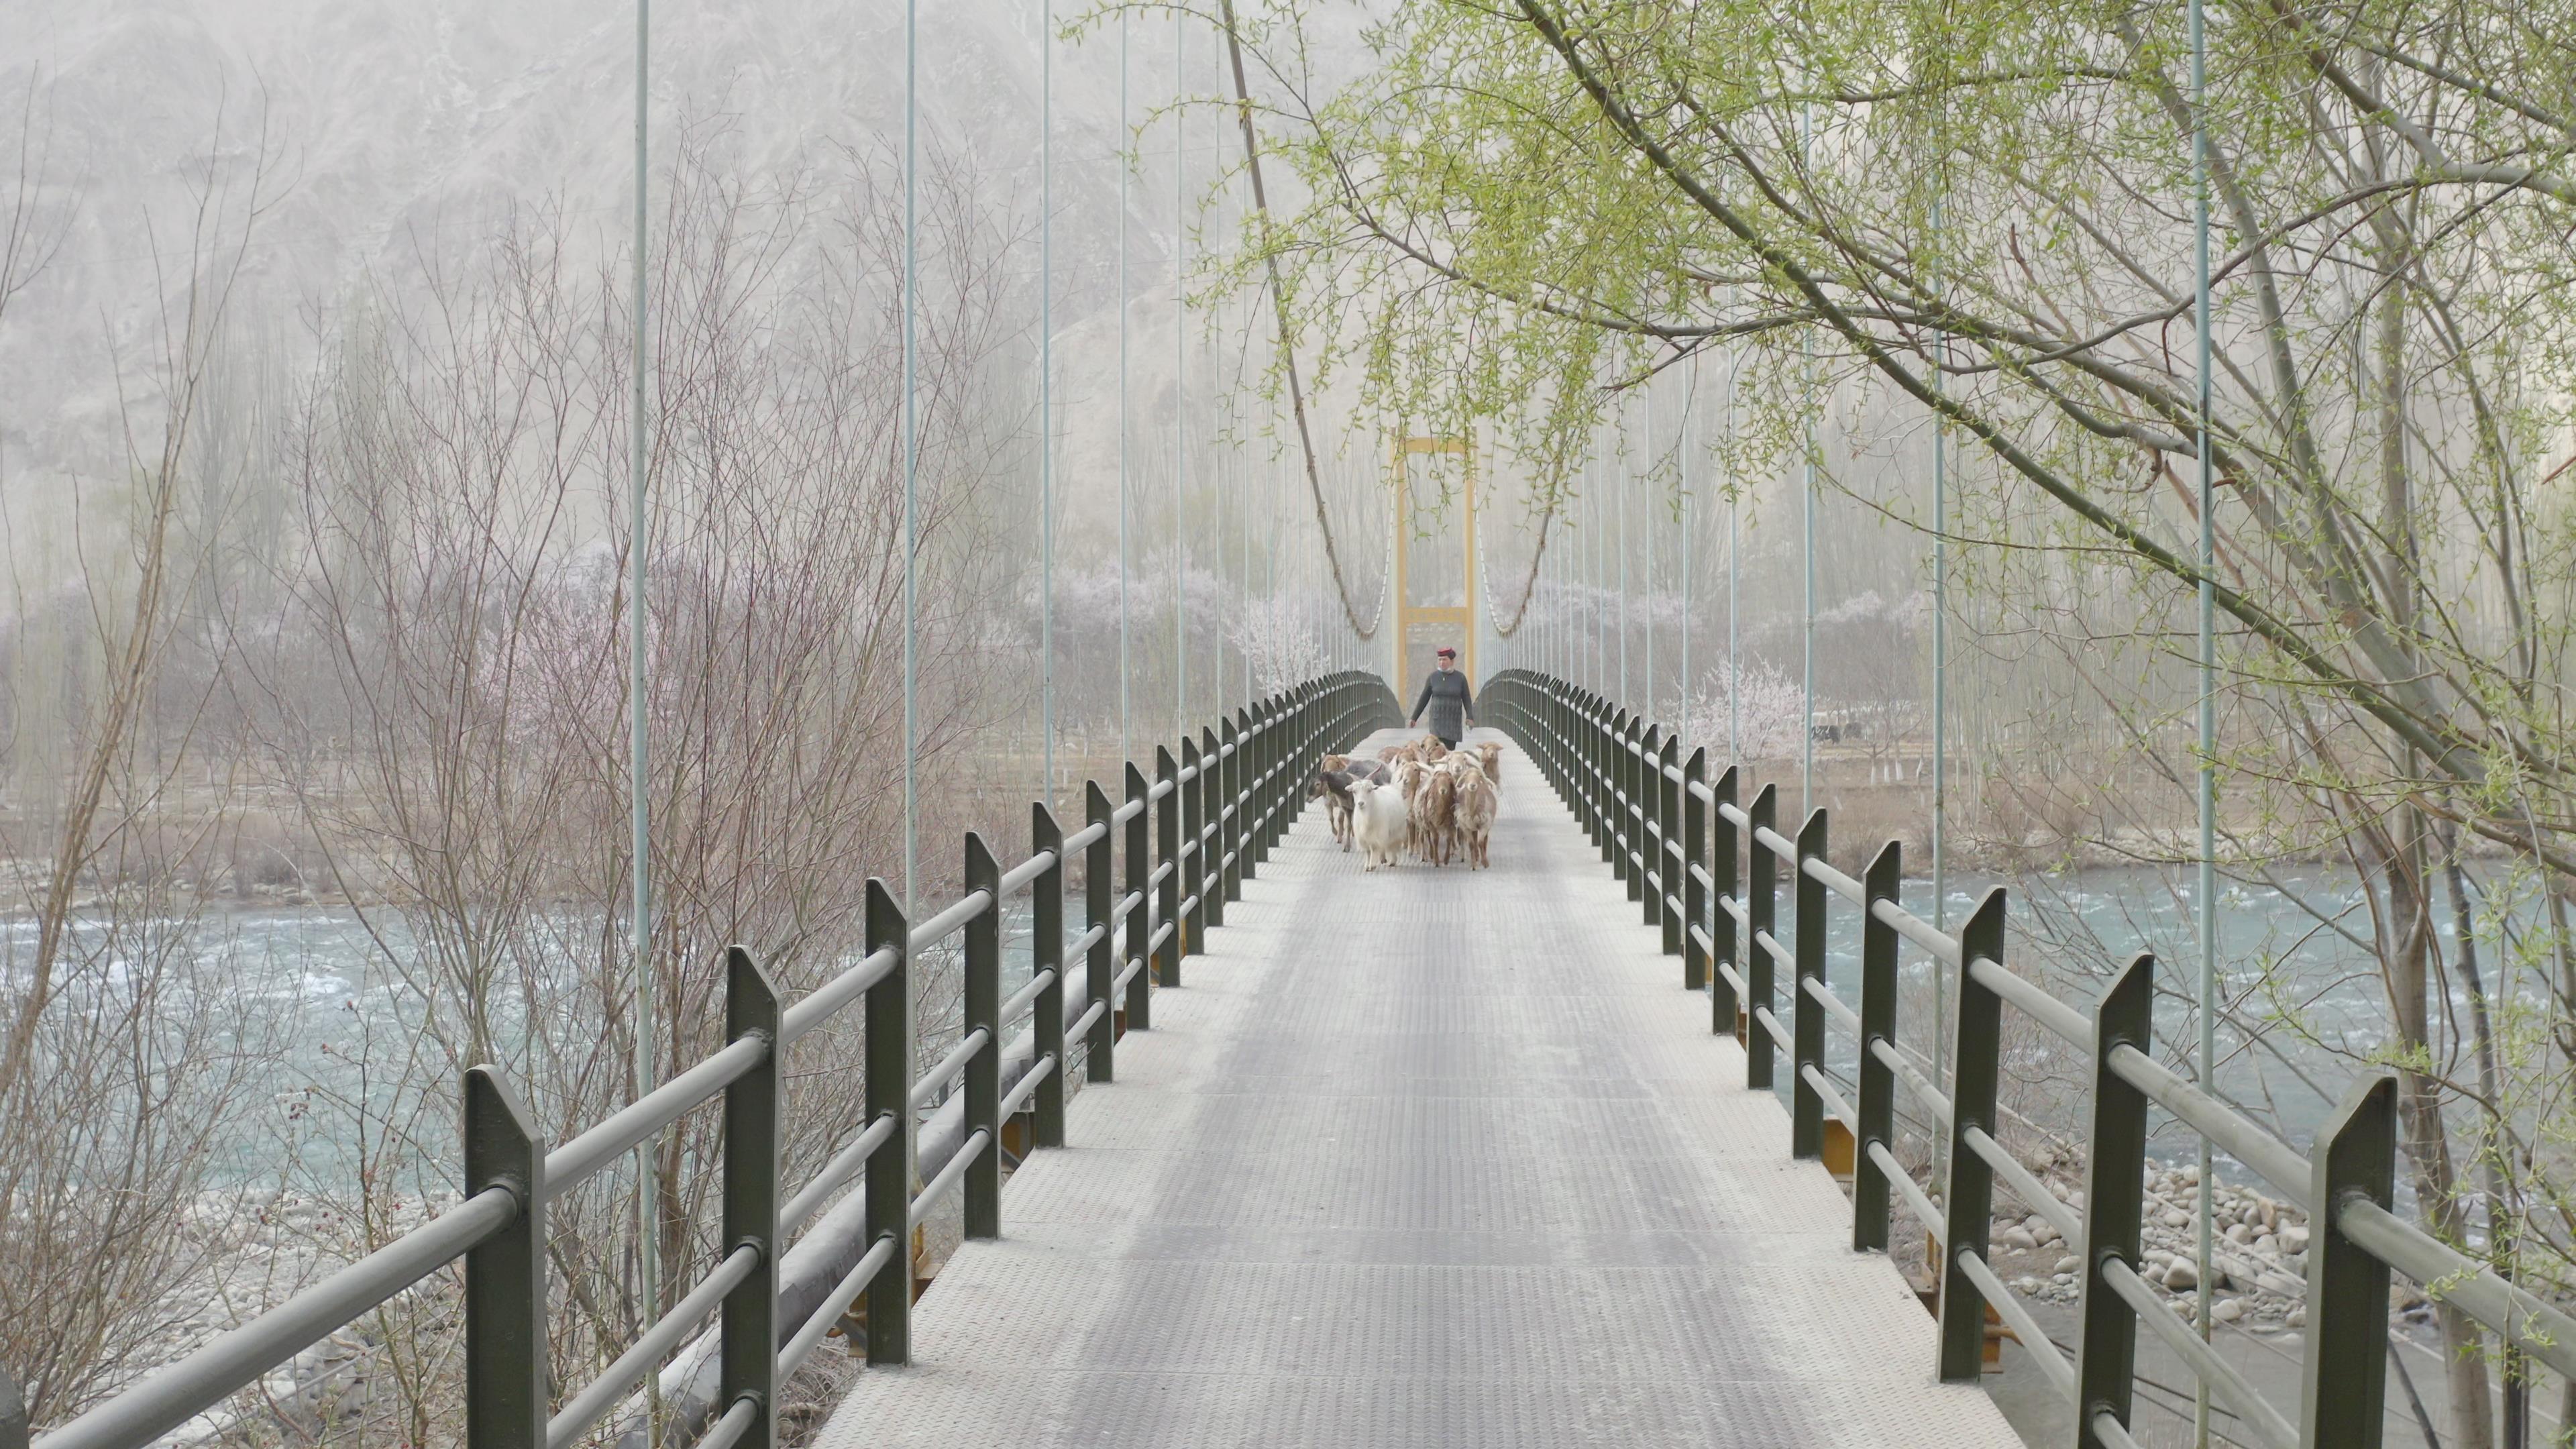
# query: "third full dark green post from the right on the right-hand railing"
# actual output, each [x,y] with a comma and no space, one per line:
[1969,1203]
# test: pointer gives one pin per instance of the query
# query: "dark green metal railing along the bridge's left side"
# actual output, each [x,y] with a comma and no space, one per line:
[1217,813]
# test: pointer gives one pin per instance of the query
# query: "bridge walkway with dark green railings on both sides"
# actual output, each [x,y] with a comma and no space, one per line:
[1323,1156]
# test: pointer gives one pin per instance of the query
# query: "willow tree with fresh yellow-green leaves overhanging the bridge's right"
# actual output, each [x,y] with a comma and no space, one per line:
[1985,205]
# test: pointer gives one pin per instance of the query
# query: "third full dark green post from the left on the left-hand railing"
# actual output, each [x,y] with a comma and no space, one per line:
[890,1100]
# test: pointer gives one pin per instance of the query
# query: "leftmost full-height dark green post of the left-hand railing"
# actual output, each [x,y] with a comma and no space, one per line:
[506,1275]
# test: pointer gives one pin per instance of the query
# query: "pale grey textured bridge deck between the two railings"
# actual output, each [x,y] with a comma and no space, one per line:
[1423,1159]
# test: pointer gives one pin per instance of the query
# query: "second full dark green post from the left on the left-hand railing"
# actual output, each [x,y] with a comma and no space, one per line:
[748,1360]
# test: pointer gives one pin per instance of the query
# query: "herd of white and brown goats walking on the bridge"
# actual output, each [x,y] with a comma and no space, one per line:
[1418,798]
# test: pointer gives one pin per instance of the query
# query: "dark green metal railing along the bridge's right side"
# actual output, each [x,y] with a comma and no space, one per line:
[1707,870]
